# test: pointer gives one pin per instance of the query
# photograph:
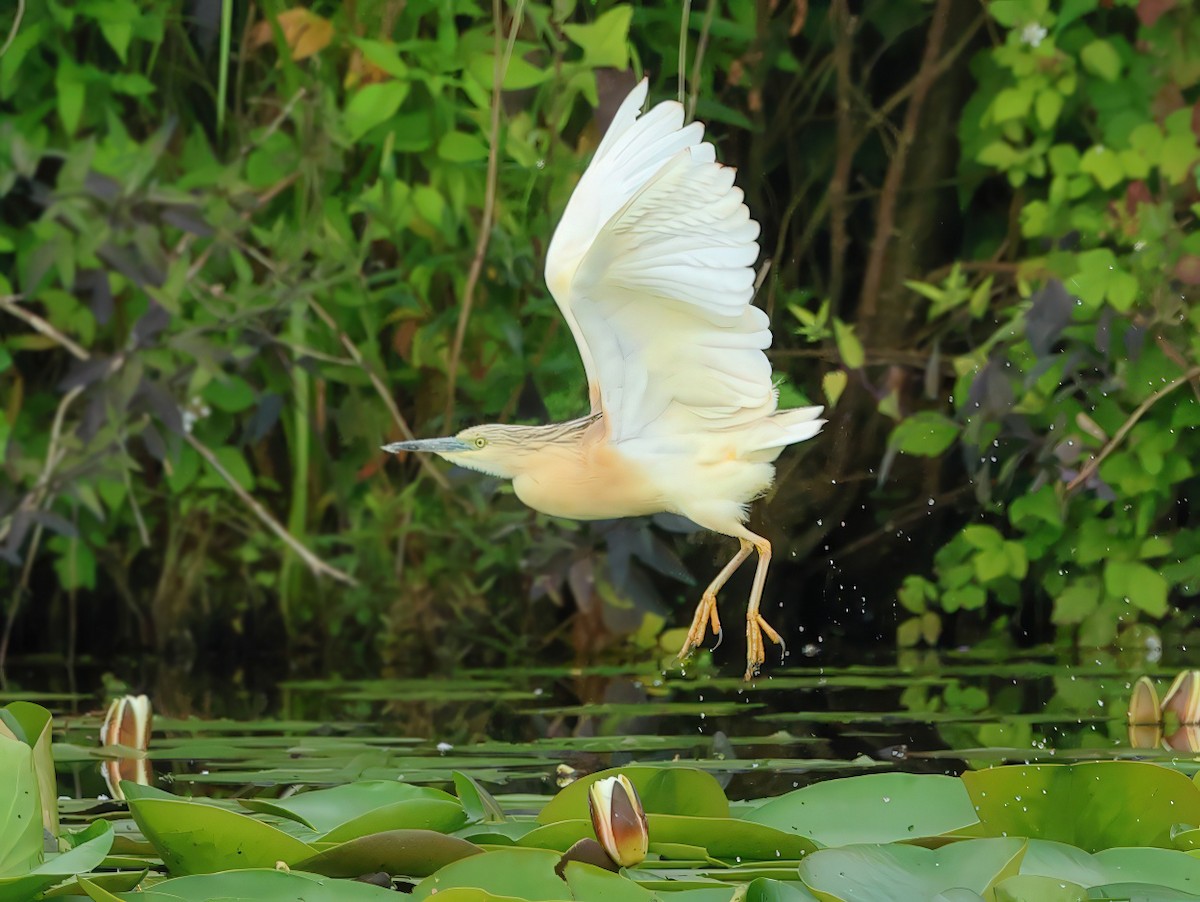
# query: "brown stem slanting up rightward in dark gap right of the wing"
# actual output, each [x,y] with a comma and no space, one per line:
[885,230]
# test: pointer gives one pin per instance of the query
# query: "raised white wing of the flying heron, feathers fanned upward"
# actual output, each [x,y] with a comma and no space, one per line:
[652,267]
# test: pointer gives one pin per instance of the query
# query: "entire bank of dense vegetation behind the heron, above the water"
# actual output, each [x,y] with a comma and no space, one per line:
[244,245]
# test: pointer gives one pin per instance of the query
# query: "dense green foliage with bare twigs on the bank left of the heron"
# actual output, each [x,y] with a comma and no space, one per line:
[217,275]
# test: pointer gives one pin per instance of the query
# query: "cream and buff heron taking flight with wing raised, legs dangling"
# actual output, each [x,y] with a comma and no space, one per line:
[652,268]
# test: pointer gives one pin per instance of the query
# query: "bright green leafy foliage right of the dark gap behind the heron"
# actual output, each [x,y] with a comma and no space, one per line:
[1078,411]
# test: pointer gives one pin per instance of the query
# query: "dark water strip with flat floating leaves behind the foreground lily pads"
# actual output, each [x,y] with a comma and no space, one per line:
[529,731]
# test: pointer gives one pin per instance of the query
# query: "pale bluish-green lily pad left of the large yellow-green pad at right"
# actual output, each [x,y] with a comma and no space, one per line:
[873,808]
